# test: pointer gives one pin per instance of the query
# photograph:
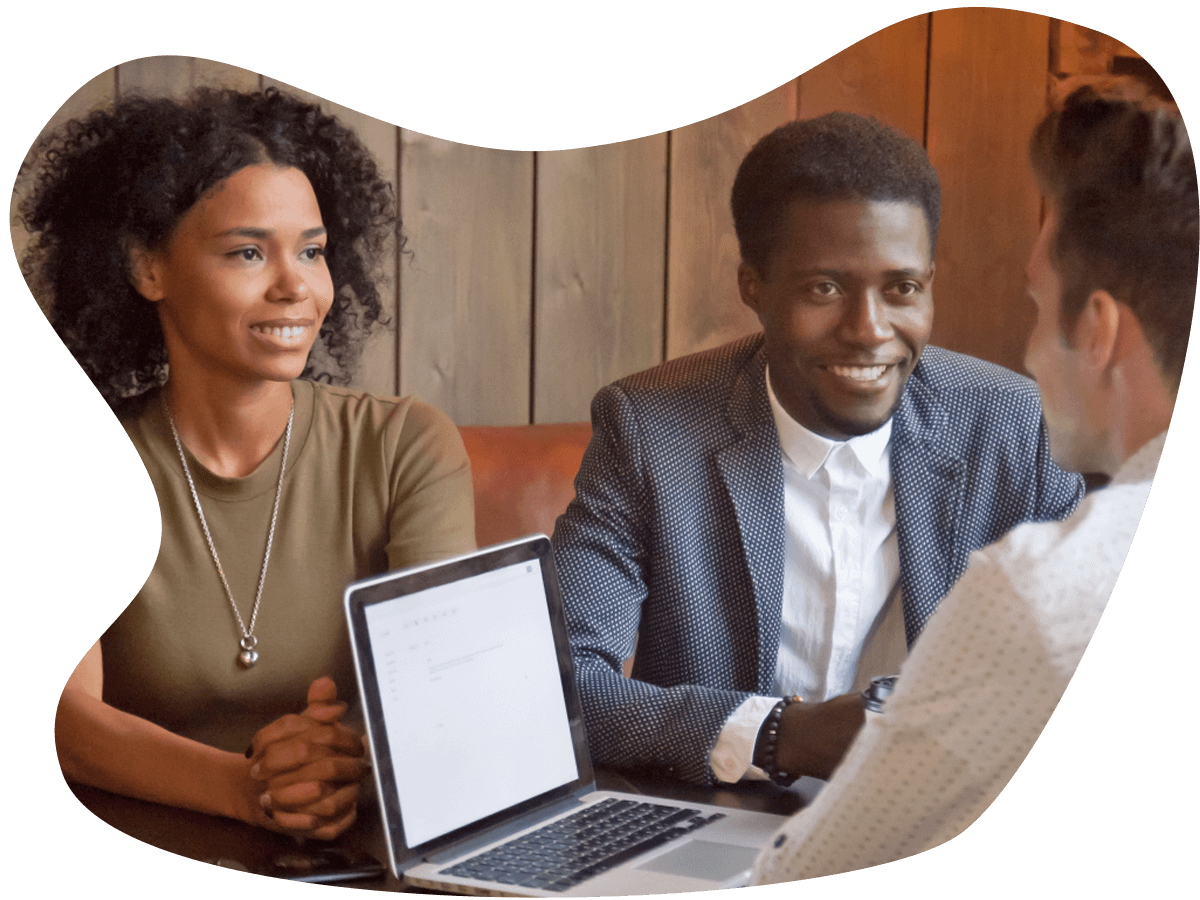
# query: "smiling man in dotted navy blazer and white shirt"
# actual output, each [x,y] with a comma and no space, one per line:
[773,538]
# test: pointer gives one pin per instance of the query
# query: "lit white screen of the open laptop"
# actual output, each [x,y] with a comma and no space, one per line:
[472,698]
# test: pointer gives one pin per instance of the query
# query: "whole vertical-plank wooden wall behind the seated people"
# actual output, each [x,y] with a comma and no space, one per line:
[507,314]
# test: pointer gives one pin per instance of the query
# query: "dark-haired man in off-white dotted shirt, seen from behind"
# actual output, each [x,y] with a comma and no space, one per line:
[1114,279]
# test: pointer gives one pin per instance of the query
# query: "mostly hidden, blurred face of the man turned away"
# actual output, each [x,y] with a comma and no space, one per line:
[1053,362]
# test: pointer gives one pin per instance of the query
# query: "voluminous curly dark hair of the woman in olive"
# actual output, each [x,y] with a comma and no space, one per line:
[124,177]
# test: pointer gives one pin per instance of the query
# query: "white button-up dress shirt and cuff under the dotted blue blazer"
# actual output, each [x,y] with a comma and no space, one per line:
[843,622]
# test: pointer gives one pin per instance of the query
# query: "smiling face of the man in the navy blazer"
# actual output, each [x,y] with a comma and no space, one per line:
[847,309]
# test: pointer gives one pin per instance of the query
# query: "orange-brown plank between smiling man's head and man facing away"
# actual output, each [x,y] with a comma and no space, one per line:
[988,79]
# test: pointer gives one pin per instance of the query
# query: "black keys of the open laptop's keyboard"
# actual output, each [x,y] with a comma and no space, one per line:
[583,845]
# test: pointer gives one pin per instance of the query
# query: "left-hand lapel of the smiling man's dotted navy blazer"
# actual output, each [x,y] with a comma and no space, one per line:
[752,469]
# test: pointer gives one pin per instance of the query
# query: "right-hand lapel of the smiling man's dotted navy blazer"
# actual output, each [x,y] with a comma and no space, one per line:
[929,487]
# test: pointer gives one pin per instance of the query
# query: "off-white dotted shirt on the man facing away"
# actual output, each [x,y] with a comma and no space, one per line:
[976,692]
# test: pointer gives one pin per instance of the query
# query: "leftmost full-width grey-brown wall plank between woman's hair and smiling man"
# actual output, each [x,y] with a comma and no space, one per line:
[466,299]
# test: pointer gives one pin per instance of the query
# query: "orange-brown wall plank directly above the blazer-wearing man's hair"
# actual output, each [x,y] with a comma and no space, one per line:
[883,76]
